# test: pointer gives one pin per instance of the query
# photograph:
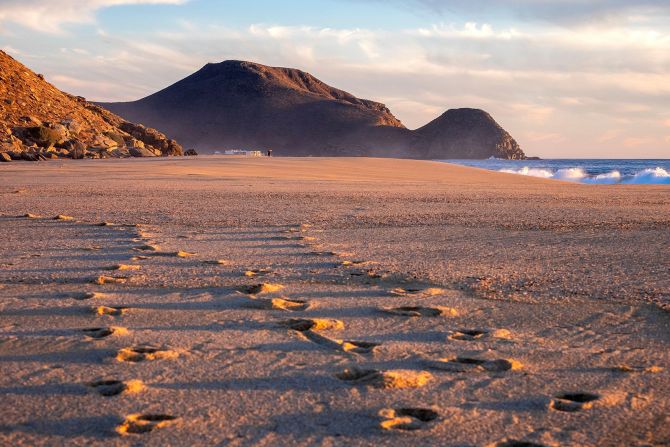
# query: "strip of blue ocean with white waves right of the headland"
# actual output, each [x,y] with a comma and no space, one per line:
[596,171]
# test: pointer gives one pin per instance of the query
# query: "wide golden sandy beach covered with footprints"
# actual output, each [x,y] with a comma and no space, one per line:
[234,301]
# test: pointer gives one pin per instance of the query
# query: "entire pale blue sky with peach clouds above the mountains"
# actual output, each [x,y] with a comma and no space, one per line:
[567,78]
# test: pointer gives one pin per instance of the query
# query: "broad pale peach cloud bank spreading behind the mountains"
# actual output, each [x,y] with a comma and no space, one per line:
[599,89]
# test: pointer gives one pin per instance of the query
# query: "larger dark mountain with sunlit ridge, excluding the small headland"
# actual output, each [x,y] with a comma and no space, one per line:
[243,105]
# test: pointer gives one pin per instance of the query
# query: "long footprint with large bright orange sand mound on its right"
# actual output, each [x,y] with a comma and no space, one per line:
[391,379]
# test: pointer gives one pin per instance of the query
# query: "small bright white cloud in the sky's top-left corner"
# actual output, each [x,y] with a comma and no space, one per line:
[50,15]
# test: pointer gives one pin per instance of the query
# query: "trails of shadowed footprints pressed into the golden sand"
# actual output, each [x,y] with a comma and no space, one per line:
[263,296]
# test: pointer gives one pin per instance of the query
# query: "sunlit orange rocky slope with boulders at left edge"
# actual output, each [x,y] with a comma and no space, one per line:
[38,121]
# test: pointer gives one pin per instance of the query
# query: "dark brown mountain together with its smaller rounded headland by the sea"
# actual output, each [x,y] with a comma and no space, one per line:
[244,105]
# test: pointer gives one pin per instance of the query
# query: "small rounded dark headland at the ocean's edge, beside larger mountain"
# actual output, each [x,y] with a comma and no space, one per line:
[466,133]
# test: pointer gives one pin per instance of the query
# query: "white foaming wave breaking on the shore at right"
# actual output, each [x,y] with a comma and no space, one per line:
[651,176]
